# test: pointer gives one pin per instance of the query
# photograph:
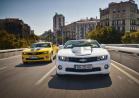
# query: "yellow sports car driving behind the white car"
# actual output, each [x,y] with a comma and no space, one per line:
[41,51]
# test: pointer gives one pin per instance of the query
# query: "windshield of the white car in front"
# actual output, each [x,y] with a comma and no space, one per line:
[82,43]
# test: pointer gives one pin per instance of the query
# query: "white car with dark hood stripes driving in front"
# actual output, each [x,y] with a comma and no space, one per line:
[82,57]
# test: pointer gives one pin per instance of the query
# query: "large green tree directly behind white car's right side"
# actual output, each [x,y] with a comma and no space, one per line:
[105,35]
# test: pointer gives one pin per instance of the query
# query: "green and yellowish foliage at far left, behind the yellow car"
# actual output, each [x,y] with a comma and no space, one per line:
[10,41]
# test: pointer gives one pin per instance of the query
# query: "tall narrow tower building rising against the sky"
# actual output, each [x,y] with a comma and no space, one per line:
[58,22]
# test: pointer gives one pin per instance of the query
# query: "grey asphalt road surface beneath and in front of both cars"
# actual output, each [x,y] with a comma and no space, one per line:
[38,80]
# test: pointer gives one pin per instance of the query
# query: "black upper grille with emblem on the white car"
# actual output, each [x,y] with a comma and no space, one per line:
[80,60]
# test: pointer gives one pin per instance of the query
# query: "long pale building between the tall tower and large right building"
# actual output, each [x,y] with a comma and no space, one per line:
[78,29]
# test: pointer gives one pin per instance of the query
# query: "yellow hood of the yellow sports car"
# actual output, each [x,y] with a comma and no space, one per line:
[38,49]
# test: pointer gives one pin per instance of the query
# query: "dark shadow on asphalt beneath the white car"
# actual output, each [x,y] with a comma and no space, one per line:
[80,82]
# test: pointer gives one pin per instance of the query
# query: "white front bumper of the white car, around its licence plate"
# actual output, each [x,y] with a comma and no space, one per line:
[68,68]
